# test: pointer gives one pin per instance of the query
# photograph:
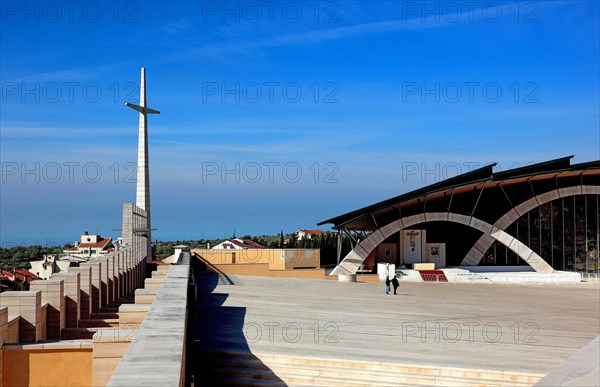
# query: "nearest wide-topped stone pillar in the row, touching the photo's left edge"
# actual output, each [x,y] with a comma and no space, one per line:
[27,305]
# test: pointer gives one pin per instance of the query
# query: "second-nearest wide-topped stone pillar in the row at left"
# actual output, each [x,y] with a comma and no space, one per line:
[53,294]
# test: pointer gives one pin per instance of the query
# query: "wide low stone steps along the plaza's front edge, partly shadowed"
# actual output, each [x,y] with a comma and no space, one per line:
[247,369]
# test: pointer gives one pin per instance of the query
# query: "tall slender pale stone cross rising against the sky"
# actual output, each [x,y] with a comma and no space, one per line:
[142,196]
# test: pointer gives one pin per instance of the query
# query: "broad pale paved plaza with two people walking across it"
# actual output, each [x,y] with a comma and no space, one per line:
[528,328]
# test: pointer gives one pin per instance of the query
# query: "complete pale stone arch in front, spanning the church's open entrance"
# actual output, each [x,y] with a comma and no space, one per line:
[360,252]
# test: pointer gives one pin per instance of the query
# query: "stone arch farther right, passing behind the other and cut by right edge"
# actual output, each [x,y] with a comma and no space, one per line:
[476,253]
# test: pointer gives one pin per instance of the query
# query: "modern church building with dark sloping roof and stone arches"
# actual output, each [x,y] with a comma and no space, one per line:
[544,215]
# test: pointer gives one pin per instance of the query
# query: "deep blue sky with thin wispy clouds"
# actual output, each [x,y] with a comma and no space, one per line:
[275,116]
